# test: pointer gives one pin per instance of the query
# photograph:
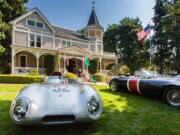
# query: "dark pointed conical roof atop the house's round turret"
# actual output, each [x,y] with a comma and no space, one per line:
[93,20]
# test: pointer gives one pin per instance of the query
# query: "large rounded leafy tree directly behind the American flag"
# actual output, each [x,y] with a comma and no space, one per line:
[132,53]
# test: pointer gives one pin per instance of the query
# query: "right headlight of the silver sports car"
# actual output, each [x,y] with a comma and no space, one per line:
[94,108]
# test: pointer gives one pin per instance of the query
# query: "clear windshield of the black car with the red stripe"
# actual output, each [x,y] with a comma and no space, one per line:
[146,74]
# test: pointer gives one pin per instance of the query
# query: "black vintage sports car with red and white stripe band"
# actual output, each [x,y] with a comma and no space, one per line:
[149,83]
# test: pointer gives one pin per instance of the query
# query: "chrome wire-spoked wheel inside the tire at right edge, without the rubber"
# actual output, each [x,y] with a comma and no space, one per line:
[173,97]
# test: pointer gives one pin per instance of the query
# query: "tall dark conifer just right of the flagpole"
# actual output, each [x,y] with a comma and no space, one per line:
[161,37]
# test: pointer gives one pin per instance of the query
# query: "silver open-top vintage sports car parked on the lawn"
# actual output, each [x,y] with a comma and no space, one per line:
[56,101]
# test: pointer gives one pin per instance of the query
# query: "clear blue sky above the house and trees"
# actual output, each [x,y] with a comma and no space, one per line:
[74,14]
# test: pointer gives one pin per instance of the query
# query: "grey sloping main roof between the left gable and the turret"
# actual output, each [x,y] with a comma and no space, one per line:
[69,33]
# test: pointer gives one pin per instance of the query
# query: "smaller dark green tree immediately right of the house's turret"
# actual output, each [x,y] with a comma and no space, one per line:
[111,38]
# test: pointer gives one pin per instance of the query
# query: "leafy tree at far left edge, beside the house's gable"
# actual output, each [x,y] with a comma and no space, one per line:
[9,10]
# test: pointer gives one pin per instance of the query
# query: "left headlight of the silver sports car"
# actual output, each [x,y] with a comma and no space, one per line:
[20,109]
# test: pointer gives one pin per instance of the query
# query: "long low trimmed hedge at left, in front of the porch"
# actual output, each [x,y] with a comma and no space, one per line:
[20,79]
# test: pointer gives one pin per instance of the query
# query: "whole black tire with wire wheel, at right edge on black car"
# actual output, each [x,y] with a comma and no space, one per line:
[172,96]
